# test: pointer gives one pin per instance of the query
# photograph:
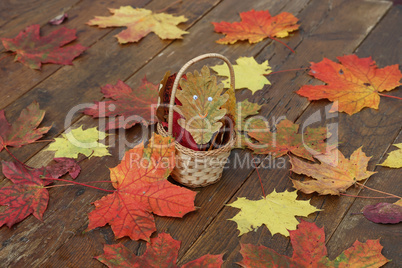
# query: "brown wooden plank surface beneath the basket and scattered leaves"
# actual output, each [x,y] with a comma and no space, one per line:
[328,29]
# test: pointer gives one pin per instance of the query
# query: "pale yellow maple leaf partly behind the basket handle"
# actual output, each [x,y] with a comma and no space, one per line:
[249,73]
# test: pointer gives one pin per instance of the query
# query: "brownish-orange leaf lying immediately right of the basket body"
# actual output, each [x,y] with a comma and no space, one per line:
[287,139]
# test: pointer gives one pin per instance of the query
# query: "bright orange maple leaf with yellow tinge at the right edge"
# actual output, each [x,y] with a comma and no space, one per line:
[353,84]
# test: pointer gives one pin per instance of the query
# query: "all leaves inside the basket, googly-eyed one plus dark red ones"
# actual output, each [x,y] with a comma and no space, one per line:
[203,115]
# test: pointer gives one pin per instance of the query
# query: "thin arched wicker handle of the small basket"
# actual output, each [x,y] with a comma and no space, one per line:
[180,74]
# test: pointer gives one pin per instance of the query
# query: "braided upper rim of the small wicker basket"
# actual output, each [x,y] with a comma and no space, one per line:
[200,154]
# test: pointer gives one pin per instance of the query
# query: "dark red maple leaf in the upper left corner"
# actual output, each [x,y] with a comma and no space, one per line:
[32,50]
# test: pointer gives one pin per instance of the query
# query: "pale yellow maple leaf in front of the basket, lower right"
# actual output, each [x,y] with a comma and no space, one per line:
[277,211]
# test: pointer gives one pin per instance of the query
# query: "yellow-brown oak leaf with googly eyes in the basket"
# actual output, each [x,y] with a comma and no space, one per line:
[201,100]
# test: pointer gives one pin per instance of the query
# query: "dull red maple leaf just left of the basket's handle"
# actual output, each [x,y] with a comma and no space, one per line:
[128,106]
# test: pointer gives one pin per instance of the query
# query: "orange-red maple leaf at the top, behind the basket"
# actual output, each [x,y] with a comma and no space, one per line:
[256,26]
